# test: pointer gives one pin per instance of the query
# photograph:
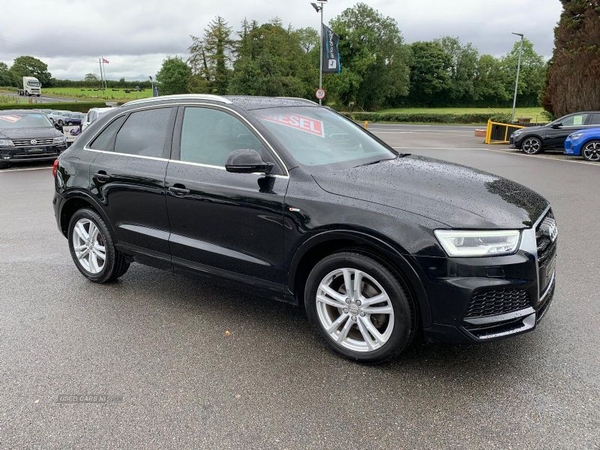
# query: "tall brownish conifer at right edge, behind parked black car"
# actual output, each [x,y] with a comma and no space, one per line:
[573,82]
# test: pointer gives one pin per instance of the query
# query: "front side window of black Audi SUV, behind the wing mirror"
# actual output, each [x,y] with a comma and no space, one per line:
[208,137]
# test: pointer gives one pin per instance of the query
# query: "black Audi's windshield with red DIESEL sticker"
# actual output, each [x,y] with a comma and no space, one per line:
[318,137]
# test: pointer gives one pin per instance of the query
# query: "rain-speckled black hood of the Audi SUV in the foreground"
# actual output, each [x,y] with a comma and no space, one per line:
[451,194]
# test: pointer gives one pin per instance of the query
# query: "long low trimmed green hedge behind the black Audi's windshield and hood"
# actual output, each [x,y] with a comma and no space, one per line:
[427,118]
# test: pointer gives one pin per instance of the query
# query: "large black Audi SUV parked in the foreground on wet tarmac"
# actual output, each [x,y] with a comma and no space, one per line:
[292,201]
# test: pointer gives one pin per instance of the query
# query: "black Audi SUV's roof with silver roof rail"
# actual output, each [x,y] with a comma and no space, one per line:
[247,102]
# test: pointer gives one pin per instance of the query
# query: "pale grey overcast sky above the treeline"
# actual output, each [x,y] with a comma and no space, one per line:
[135,36]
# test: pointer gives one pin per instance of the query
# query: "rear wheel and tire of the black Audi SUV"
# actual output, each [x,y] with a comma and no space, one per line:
[88,231]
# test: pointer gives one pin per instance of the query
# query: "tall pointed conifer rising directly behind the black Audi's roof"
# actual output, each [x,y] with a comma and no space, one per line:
[210,57]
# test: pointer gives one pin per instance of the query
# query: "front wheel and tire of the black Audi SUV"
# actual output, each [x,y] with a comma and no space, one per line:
[351,321]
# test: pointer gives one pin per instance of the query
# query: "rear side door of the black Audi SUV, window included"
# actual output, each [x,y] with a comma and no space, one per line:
[128,180]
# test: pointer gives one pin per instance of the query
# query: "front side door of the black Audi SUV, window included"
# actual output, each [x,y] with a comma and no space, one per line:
[228,224]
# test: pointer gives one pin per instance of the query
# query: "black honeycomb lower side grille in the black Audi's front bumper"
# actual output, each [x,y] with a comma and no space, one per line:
[498,301]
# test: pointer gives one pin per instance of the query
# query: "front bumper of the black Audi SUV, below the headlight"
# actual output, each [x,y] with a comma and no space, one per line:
[485,299]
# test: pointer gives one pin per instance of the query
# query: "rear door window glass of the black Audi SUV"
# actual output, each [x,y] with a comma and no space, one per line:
[144,133]
